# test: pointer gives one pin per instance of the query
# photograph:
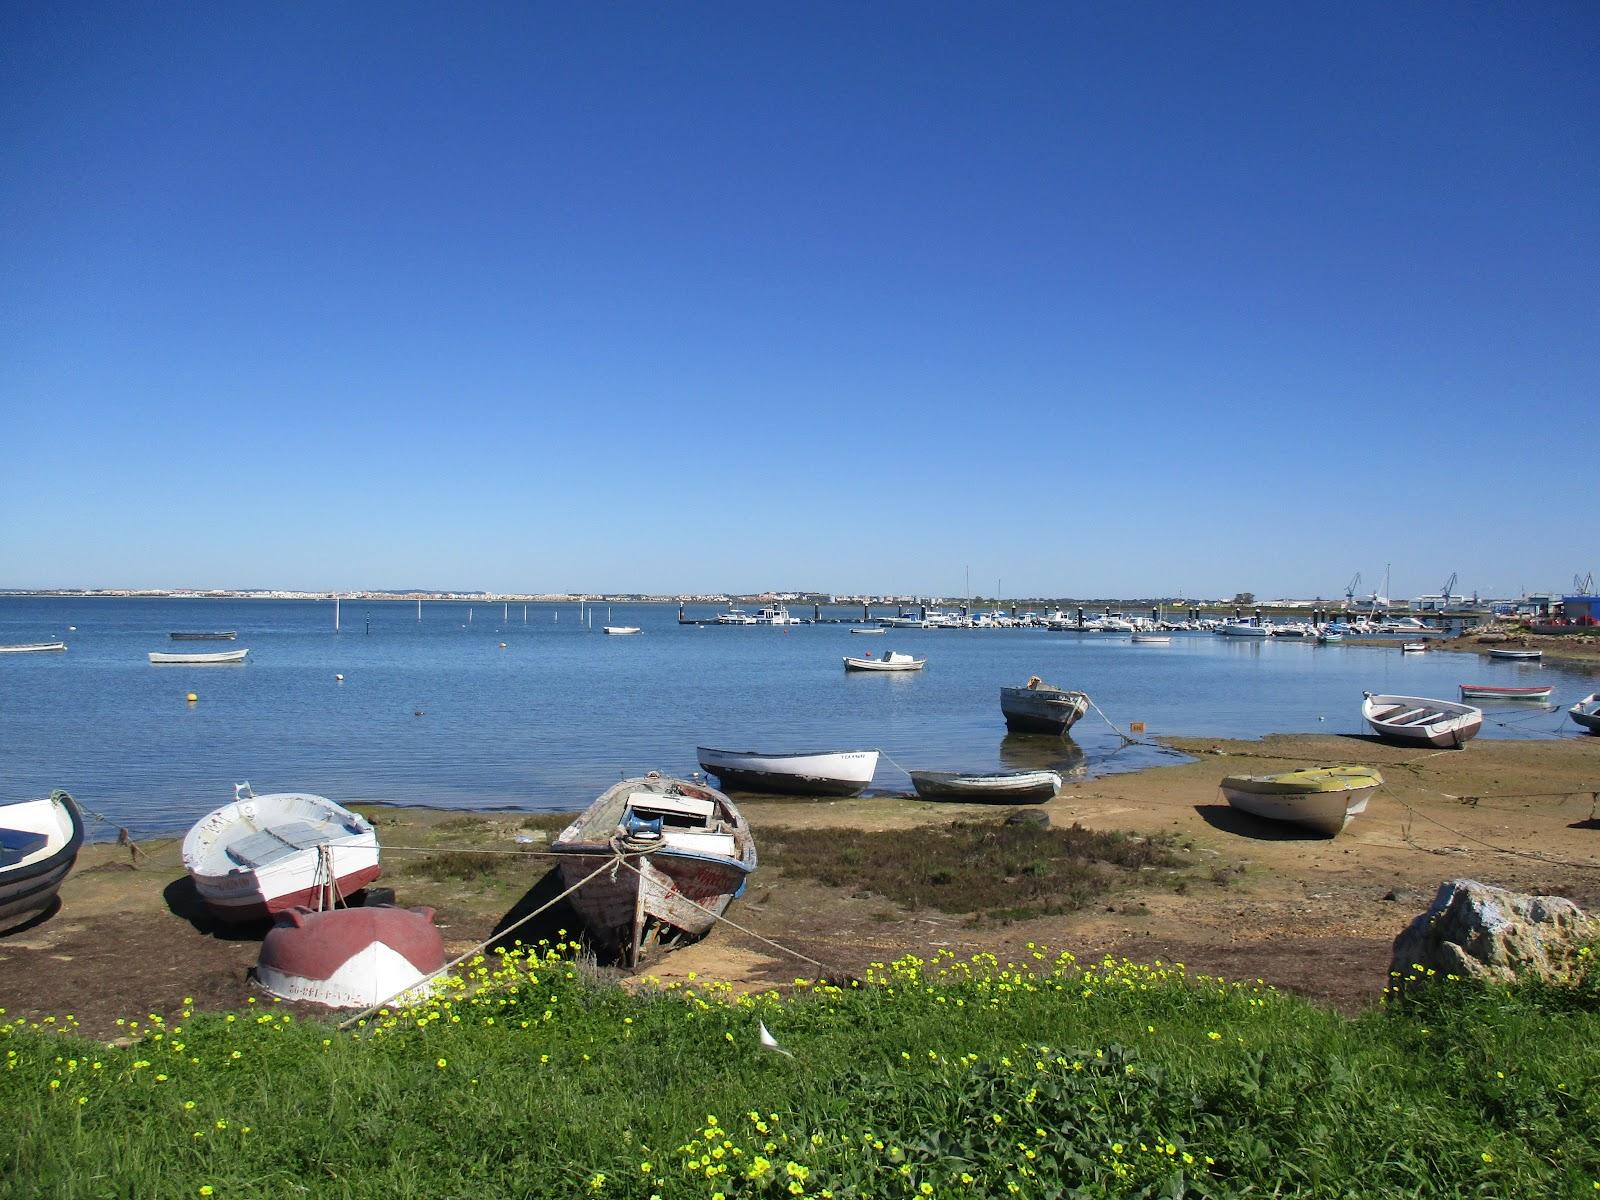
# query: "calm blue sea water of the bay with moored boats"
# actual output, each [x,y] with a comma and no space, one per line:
[438,713]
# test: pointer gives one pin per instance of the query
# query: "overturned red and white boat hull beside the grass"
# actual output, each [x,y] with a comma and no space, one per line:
[351,958]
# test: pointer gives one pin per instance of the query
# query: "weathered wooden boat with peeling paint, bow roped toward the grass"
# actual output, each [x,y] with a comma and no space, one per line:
[690,852]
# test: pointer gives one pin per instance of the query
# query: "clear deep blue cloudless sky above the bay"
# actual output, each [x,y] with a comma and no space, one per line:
[1092,300]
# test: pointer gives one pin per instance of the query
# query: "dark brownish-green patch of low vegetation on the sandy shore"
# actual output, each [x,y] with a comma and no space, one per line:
[999,871]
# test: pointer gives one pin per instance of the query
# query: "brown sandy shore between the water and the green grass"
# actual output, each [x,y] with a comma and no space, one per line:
[1302,913]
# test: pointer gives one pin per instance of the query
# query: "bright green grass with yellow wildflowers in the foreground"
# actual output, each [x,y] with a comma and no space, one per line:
[927,1079]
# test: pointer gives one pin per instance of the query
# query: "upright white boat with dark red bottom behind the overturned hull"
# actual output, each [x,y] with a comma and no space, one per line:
[270,854]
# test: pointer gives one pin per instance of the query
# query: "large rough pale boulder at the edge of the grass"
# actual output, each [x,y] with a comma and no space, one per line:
[1492,935]
